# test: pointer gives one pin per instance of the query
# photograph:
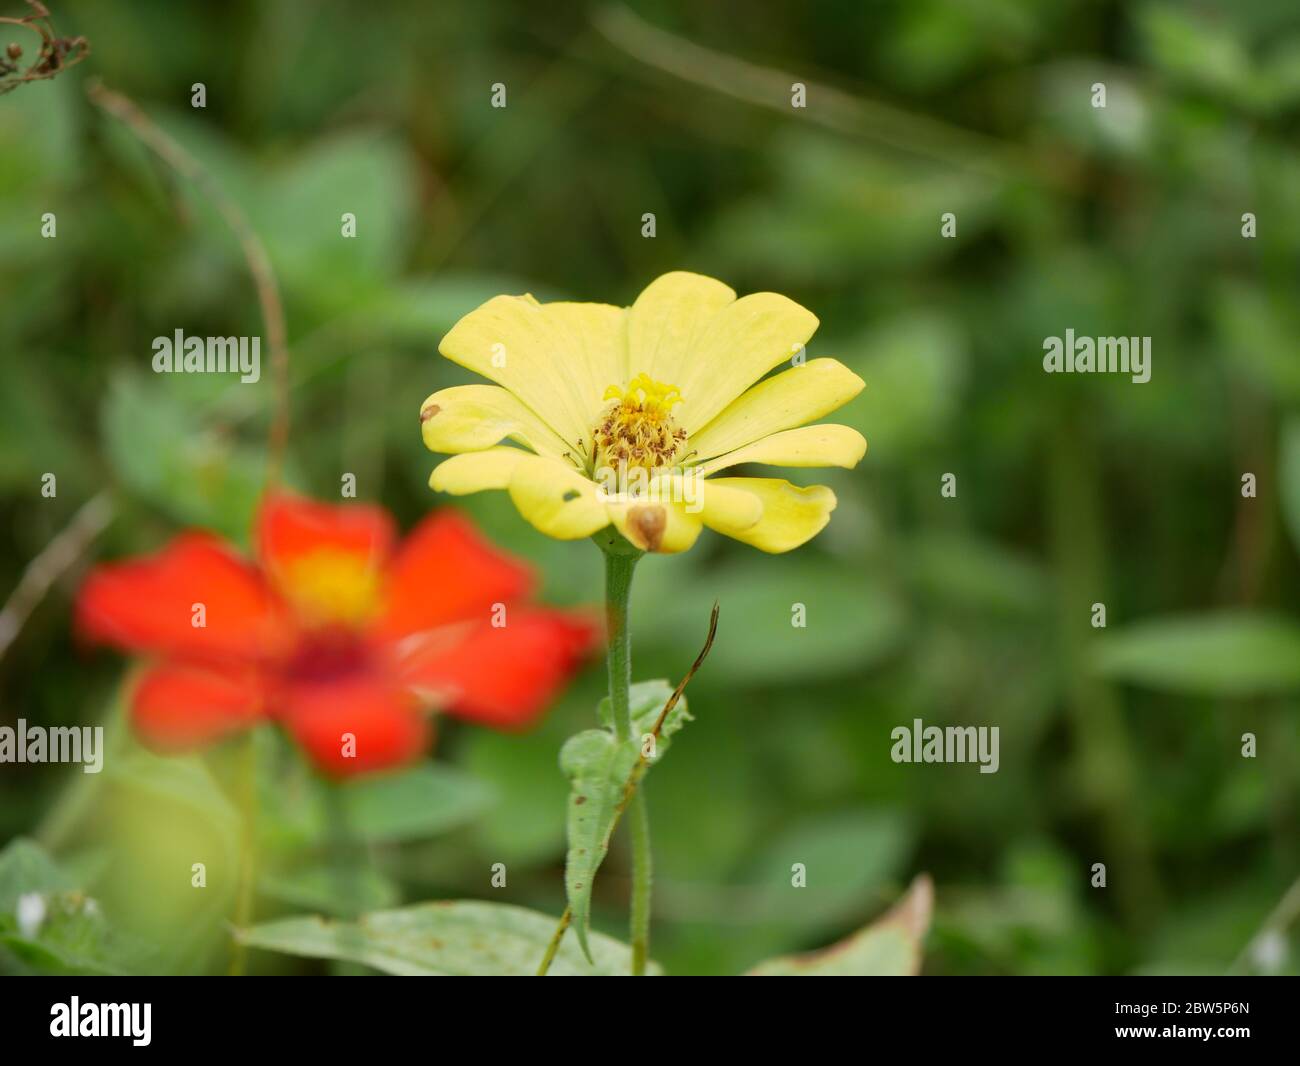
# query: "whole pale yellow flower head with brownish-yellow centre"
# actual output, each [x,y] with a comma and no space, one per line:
[622,414]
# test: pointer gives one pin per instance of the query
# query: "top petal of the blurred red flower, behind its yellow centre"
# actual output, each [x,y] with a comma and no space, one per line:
[291,527]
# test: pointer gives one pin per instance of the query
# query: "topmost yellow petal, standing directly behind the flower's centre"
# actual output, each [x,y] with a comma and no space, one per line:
[668,319]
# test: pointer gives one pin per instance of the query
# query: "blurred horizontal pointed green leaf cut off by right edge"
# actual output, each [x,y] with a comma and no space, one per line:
[1233,653]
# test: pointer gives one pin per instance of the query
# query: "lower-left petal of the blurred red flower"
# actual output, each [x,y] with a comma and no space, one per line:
[177,707]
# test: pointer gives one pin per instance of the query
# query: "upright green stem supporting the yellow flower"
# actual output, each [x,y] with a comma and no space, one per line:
[621,561]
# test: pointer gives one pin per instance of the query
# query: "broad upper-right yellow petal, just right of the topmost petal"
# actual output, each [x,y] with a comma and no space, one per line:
[735,349]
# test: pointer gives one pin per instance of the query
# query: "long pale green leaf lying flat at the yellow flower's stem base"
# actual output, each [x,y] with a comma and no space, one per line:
[443,939]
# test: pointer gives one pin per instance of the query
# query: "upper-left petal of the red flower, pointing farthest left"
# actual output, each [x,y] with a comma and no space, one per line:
[149,605]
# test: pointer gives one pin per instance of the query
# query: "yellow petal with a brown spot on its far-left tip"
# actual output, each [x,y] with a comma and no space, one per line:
[471,418]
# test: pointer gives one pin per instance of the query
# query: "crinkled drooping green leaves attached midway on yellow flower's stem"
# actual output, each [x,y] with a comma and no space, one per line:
[599,768]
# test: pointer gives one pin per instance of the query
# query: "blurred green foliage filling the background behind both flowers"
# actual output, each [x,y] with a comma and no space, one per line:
[1121,747]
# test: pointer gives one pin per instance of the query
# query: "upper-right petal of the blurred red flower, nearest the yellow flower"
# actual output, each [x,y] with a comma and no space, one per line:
[445,571]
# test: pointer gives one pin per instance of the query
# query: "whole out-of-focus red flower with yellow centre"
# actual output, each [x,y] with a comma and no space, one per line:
[336,631]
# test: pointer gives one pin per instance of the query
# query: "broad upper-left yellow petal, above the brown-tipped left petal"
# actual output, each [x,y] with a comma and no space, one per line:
[514,343]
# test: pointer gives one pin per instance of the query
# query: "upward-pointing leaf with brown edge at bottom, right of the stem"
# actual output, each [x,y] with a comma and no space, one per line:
[889,947]
